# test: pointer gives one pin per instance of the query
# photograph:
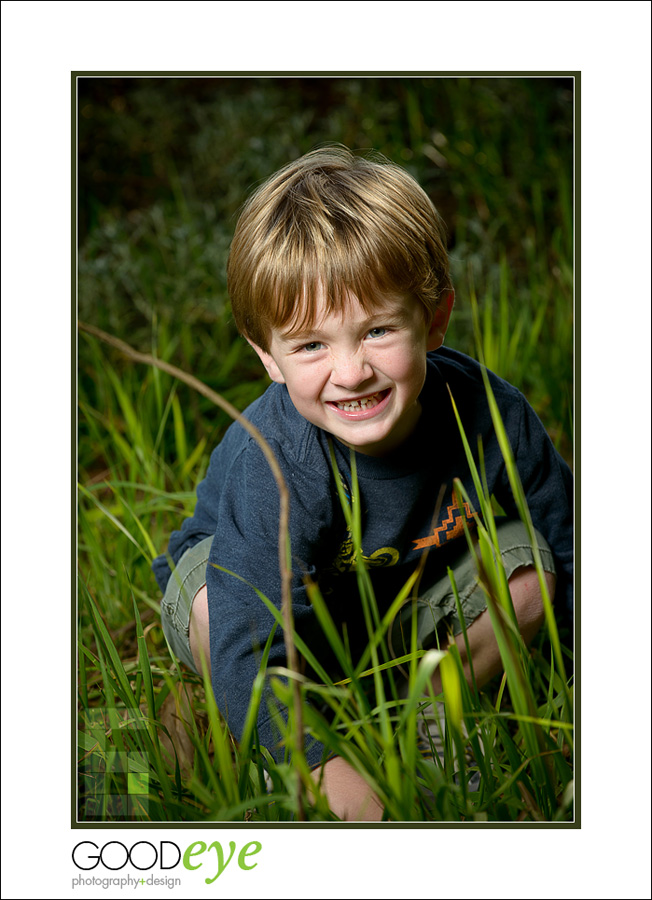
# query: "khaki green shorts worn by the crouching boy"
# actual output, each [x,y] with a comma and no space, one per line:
[435,608]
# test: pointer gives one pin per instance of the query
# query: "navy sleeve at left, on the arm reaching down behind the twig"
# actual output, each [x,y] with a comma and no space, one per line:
[245,557]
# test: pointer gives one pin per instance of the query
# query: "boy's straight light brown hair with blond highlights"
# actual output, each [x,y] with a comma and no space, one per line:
[337,223]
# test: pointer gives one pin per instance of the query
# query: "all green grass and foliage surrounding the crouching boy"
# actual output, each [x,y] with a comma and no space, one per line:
[164,165]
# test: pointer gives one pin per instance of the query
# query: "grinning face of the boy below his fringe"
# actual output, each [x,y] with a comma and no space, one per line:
[358,375]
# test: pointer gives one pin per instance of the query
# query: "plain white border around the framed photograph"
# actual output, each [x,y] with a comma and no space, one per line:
[609,44]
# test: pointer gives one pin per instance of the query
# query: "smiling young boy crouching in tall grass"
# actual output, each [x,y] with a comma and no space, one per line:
[338,278]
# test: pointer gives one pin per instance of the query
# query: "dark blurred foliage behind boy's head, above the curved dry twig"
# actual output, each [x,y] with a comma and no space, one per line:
[165,163]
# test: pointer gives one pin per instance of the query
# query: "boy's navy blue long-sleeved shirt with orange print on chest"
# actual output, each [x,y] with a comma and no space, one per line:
[238,503]
